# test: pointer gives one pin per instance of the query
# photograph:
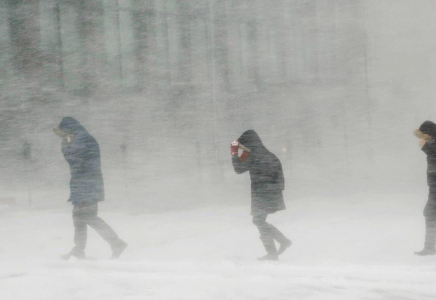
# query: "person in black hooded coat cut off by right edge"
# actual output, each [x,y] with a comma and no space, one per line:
[427,135]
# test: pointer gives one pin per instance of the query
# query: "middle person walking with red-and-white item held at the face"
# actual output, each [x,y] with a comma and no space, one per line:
[267,184]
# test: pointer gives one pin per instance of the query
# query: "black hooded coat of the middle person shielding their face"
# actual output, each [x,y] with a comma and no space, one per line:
[267,181]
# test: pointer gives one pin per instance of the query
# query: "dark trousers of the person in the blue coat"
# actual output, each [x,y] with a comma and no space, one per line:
[84,215]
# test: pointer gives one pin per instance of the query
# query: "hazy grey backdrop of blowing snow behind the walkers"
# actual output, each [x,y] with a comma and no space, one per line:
[334,88]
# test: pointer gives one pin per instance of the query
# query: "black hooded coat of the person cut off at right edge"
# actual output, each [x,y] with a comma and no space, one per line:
[429,149]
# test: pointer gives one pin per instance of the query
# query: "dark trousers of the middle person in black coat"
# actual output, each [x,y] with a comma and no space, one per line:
[268,233]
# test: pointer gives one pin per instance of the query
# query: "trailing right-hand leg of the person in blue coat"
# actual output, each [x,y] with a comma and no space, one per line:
[106,232]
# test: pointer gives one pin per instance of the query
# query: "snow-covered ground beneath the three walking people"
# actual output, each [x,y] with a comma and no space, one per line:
[357,248]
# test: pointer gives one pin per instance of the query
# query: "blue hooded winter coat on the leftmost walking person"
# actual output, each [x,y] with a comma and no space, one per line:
[83,155]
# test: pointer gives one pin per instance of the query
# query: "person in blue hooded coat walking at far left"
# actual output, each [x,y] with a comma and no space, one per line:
[82,153]
